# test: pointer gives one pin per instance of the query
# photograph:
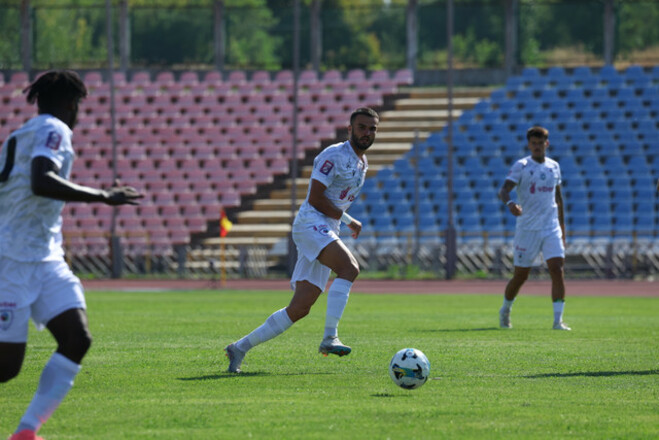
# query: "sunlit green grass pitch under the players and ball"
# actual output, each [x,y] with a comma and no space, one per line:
[157,370]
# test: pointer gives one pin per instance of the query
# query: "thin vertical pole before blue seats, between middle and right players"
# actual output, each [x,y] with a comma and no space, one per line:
[450,236]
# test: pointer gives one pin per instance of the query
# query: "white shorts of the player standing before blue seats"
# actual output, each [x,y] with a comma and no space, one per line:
[528,245]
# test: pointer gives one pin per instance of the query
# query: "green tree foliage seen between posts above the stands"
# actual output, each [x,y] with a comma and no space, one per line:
[366,34]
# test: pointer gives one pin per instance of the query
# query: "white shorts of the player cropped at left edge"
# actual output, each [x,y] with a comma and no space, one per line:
[40,290]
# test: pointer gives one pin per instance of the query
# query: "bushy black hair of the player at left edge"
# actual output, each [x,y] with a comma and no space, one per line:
[53,87]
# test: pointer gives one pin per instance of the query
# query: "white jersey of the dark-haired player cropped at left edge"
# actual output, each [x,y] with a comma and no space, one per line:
[31,226]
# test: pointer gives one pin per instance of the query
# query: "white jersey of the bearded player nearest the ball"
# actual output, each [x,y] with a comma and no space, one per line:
[343,173]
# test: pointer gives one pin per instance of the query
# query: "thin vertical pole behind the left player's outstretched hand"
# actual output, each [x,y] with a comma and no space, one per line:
[115,245]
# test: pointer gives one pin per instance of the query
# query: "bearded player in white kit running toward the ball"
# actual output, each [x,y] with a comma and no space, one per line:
[337,177]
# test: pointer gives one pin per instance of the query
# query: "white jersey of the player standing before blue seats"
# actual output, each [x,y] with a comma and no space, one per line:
[536,193]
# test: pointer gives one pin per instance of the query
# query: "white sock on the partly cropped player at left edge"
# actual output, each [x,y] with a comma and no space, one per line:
[55,382]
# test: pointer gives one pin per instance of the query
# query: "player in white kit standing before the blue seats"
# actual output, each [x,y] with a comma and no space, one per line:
[540,223]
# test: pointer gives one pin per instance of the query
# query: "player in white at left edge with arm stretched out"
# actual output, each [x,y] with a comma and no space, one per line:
[35,281]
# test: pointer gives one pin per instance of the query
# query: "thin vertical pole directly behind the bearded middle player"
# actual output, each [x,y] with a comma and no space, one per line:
[292,251]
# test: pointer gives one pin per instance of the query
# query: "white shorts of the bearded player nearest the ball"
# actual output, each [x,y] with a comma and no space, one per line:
[310,240]
